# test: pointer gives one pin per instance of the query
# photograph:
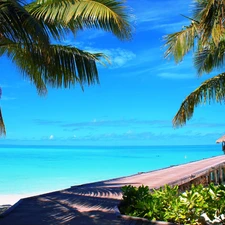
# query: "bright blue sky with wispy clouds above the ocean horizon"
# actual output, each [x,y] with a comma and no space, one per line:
[138,95]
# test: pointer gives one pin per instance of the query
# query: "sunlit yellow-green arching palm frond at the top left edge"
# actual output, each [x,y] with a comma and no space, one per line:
[109,15]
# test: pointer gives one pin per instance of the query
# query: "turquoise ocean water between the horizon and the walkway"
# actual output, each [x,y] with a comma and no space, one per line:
[40,169]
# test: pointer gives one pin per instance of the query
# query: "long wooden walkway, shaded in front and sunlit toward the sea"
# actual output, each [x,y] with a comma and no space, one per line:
[96,203]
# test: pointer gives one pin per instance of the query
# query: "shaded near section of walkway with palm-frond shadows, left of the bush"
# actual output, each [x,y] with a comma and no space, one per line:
[85,204]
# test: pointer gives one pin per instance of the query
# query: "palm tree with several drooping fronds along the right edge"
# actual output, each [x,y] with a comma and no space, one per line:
[206,36]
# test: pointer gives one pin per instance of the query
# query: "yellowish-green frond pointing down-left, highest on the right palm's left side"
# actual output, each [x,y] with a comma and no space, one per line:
[180,43]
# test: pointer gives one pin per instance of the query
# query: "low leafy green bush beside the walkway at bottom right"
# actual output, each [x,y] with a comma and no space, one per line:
[168,204]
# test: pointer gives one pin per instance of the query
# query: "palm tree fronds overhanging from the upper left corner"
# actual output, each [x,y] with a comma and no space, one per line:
[27,32]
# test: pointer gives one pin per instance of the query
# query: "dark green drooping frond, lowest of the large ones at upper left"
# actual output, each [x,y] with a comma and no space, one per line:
[58,66]
